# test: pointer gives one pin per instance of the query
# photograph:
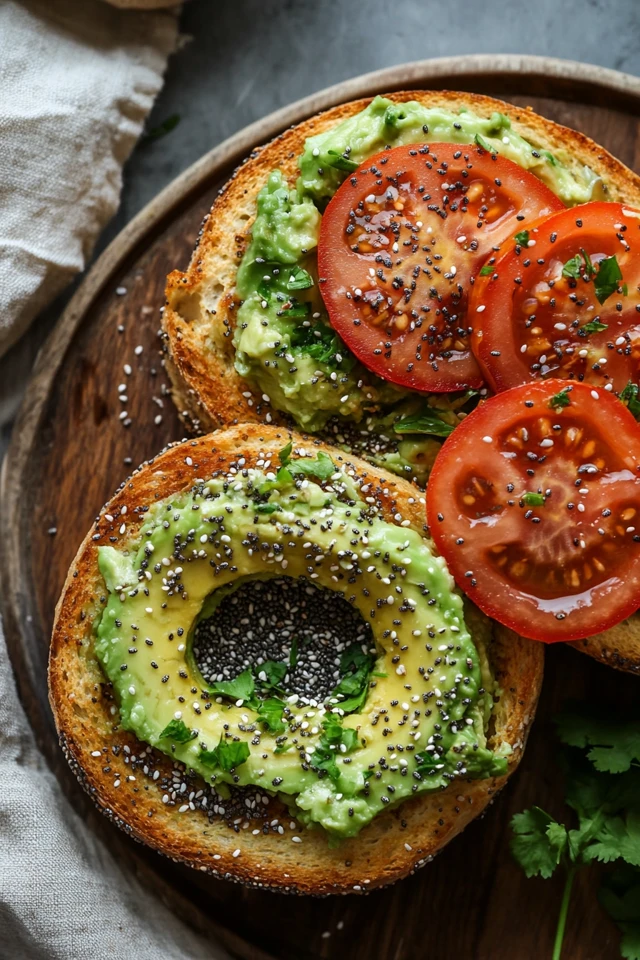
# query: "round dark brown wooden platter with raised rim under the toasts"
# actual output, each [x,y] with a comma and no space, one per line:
[75,442]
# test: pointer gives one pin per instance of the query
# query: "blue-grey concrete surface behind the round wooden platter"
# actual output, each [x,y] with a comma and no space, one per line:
[241,59]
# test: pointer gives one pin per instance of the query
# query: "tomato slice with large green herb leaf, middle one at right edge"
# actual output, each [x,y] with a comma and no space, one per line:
[566,305]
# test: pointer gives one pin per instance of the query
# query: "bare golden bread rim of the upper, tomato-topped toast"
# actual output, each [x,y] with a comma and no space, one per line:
[199,314]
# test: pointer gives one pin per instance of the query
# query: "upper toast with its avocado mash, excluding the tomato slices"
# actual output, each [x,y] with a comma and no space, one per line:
[235,355]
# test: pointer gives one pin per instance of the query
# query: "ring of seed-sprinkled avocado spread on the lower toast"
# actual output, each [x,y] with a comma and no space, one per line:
[409,713]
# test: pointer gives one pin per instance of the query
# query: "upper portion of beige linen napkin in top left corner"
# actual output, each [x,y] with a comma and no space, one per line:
[77,80]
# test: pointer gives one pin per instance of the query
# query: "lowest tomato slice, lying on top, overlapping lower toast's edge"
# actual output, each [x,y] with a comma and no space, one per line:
[534,502]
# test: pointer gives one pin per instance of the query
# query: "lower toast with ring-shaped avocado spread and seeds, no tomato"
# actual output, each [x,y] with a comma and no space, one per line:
[236,822]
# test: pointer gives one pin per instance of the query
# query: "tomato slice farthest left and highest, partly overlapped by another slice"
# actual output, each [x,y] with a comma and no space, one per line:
[400,244]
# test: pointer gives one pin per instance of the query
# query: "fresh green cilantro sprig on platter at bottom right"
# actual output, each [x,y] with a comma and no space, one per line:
[601,759]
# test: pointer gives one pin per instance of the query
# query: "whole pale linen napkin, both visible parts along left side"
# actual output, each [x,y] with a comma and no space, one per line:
[77,79]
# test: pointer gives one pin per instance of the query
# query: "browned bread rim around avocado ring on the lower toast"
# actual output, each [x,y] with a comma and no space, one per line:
[395,844]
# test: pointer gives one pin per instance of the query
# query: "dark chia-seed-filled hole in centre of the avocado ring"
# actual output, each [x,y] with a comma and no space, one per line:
[282,620]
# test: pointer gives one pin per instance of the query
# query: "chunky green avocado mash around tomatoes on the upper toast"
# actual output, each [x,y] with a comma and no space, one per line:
[292,354]
